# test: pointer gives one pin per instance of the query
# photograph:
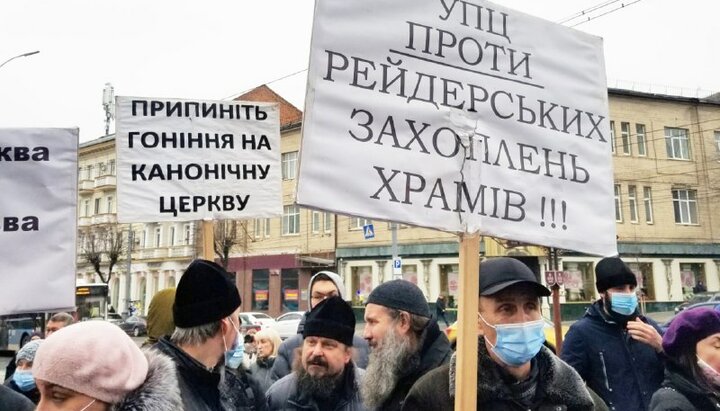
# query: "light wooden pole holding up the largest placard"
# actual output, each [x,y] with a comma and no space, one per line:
[466,361]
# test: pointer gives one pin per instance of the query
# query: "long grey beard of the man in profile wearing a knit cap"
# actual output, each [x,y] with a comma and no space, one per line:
[394,358]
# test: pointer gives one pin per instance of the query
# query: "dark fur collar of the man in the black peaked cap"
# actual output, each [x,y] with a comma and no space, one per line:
[557,381]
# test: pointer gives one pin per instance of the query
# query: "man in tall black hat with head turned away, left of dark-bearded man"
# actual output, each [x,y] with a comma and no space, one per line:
[205,341]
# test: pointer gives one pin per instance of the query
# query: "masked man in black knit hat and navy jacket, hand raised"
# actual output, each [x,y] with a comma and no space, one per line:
[617,351]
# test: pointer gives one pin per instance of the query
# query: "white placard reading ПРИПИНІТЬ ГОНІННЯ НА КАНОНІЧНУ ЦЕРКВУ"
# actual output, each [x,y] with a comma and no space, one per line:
[190,160]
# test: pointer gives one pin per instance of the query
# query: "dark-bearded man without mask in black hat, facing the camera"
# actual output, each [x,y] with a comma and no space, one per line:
[324,376]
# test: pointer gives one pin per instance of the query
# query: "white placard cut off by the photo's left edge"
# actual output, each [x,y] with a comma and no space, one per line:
[38,219]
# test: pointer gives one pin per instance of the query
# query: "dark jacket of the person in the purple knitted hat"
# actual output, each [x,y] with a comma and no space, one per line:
[681,393]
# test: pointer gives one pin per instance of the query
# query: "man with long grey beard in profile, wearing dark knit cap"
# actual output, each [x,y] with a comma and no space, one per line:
[405,343]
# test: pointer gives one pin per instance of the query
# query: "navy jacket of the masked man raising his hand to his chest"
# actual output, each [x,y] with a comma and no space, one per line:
[621,370]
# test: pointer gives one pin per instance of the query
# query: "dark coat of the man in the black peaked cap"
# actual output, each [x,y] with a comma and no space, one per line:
[559,387]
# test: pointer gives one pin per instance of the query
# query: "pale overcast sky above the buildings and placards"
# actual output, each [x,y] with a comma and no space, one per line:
[217,49]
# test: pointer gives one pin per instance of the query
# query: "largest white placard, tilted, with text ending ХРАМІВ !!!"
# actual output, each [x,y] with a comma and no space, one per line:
[463,116]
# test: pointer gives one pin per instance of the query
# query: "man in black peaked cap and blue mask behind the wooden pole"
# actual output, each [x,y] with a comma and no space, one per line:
[515,370]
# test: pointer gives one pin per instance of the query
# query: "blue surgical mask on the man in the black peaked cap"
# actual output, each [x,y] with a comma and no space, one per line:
[517,344]
